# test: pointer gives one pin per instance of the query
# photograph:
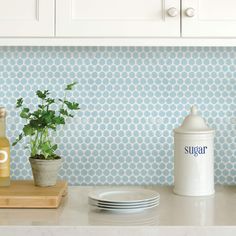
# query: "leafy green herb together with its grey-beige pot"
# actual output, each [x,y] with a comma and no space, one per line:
[50,113]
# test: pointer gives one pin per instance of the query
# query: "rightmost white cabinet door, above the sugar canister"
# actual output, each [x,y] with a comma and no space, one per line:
[209,18]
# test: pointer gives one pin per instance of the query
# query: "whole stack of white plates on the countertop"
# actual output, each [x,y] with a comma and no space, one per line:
[124,200]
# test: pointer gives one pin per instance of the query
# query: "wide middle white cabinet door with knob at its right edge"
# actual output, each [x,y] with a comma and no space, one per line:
[117,18]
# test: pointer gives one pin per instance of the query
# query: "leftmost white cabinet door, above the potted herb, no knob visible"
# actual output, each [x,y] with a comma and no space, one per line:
[24,18]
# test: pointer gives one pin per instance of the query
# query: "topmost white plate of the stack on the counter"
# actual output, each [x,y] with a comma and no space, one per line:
[124,195]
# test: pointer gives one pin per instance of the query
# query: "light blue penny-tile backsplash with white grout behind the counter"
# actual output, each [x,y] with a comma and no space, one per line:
[131,99]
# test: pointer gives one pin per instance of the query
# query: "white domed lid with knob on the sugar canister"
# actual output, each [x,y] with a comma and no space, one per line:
[194,123]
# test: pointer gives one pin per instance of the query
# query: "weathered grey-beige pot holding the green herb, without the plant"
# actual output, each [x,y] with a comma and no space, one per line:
[45,171]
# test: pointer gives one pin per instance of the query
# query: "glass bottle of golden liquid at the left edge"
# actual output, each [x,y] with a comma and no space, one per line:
[4,151]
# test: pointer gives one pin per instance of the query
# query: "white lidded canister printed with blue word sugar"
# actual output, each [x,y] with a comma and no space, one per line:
[194,157]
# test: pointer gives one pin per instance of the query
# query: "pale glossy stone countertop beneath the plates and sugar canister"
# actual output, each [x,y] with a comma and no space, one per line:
[176,215]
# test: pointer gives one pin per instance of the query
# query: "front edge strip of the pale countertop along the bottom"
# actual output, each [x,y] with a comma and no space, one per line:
[118,230]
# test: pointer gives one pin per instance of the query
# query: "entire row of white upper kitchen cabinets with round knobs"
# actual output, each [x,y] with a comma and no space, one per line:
[118,22]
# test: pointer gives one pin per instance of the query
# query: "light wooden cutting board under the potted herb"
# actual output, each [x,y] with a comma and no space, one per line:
[23,194]
